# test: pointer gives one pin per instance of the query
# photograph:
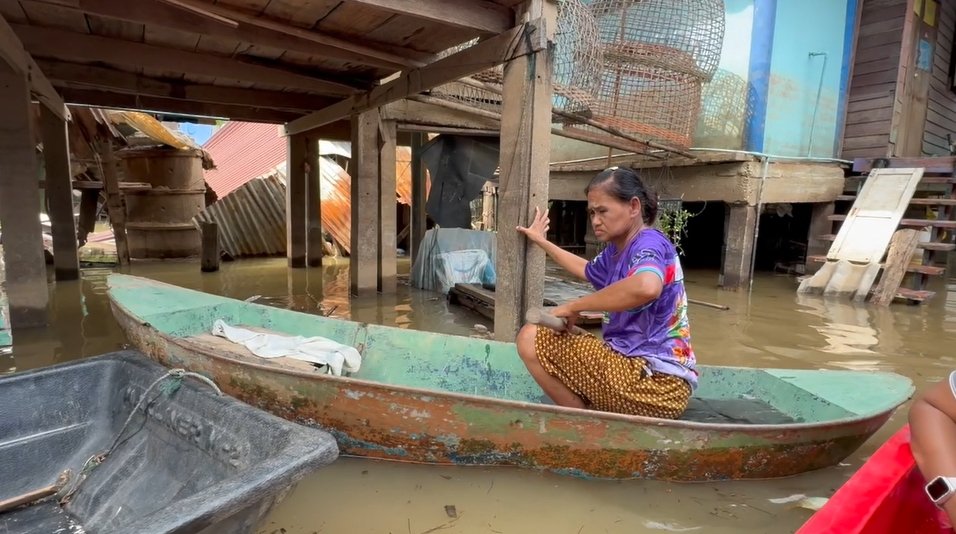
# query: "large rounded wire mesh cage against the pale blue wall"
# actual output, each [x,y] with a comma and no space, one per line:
[655,56]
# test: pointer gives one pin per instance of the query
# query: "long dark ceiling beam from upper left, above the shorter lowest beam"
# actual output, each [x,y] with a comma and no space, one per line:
[77,47]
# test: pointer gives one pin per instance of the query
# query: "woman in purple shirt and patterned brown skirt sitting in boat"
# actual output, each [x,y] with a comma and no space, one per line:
[645,365]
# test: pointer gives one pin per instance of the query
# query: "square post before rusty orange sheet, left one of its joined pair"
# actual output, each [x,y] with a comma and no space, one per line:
[363,264]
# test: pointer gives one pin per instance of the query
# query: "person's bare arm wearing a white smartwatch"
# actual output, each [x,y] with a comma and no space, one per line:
[932,420]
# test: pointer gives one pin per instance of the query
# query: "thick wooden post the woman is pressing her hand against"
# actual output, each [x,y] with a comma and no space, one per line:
[525,153]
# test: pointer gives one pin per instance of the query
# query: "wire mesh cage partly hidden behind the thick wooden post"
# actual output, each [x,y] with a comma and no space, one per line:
[575,69]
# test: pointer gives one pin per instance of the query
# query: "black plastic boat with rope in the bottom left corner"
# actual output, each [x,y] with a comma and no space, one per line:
[196,462]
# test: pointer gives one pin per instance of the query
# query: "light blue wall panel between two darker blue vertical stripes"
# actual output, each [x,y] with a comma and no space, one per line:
[802,28]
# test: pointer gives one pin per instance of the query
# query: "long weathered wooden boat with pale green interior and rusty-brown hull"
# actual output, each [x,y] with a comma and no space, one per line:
[445,399]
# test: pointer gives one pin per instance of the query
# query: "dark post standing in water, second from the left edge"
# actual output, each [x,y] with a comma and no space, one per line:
[59,191]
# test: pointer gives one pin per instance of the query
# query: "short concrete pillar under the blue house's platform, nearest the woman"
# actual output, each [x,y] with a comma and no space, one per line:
[739,225]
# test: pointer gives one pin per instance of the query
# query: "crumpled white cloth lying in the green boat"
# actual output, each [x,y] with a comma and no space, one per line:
[334,355]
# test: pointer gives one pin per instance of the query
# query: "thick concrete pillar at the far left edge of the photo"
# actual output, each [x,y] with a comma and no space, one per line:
[26,282]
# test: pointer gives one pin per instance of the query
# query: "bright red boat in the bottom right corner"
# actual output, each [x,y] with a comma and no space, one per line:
[885,496]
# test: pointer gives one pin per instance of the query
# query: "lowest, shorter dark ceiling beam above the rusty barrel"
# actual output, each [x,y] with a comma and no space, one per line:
[166,105]
